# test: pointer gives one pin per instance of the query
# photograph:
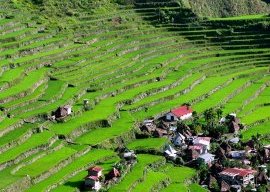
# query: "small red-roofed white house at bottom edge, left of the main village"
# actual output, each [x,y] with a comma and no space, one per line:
[92,180]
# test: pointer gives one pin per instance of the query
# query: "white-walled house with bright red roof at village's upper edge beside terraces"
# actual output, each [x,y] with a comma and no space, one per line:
[180,113]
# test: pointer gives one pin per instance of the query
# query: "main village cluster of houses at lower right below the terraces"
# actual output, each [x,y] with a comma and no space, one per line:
[195,150]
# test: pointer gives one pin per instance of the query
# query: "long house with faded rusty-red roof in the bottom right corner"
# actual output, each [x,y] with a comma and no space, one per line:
[238,176]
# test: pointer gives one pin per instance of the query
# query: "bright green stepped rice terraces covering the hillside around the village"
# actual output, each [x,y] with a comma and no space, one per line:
[129,70]
